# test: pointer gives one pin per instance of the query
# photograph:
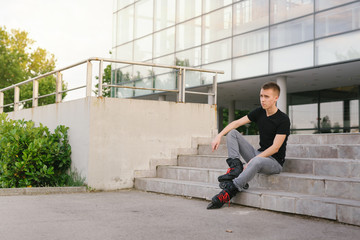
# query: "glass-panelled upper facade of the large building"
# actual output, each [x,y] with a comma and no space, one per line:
[248,38]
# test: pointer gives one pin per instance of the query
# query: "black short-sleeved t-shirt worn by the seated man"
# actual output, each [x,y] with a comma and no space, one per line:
[278,123]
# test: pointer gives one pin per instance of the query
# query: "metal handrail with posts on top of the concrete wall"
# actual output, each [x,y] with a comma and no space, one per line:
[181,71]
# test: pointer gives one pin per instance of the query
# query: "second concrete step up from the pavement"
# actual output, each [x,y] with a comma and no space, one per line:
[325,186]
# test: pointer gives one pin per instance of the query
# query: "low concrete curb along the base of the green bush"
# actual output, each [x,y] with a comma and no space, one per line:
[40,190]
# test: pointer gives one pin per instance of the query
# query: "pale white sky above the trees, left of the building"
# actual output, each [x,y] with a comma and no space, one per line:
[72,30]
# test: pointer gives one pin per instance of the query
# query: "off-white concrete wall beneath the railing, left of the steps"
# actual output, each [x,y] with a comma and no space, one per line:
[112,138]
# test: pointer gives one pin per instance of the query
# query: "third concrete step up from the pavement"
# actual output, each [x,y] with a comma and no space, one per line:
[346,168]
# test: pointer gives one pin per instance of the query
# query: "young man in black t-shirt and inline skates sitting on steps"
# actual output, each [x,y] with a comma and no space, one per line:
[274,129]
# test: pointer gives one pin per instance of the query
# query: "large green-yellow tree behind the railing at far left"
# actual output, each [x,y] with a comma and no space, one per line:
[19,62]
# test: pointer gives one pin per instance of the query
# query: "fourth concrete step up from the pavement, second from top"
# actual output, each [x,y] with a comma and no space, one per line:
[348,151]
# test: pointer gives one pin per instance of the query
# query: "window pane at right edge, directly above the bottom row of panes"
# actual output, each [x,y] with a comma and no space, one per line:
[338,20]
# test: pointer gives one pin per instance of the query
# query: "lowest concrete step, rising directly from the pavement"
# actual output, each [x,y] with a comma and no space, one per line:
[345,211]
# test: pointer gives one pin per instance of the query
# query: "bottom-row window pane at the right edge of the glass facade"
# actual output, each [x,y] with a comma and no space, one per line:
[329,50]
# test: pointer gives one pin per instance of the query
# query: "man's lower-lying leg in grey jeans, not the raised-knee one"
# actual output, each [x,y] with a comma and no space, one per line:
[266,165]
